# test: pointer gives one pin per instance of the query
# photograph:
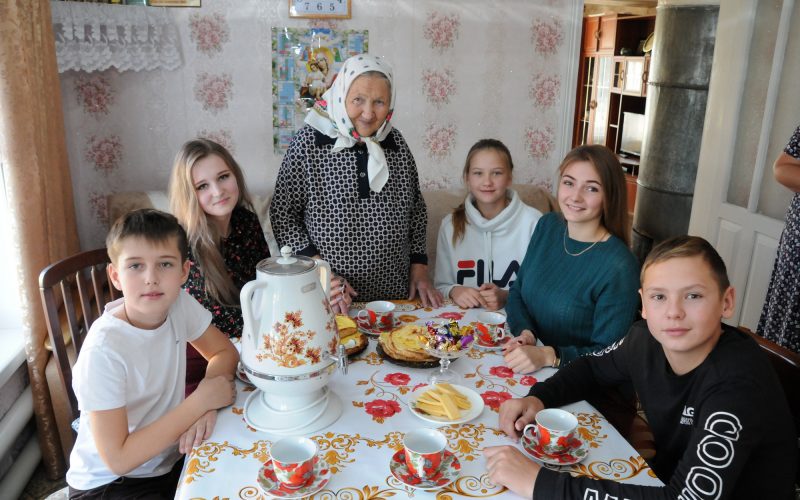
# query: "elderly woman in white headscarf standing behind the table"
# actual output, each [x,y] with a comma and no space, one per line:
[348,192]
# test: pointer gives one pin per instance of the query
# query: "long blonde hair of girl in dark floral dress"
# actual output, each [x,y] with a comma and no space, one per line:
[204,238]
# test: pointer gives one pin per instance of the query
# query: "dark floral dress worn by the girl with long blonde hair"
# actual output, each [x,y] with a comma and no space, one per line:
[242,250]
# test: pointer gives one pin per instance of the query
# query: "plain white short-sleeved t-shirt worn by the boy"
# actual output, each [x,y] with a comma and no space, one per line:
[142,370]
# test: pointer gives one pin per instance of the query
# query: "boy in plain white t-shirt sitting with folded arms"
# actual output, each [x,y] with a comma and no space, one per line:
[130,374]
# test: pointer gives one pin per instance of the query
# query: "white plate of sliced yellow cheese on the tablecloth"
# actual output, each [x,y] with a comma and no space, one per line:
[447,404]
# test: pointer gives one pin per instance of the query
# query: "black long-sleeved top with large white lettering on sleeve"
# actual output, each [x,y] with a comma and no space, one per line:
[722,431]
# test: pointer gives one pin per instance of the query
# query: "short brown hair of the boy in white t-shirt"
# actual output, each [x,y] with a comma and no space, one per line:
[153,225]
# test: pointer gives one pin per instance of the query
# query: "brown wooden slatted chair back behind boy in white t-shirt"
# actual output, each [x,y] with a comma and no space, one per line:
[74,292]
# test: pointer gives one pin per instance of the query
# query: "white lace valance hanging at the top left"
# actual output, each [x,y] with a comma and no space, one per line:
[95,37]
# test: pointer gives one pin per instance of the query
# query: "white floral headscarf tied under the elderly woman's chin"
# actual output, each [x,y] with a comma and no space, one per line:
[329,116]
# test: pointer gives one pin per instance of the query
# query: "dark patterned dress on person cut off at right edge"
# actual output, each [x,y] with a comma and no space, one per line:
[780,318]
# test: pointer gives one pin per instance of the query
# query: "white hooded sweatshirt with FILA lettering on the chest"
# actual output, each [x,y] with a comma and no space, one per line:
[492,249]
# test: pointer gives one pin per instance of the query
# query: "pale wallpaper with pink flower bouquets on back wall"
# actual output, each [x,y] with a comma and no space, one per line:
[464,70]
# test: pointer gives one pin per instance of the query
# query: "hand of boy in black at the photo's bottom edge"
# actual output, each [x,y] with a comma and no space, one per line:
[508,467]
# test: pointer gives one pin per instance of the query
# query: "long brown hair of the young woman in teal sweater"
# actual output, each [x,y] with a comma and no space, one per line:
[615,198]
